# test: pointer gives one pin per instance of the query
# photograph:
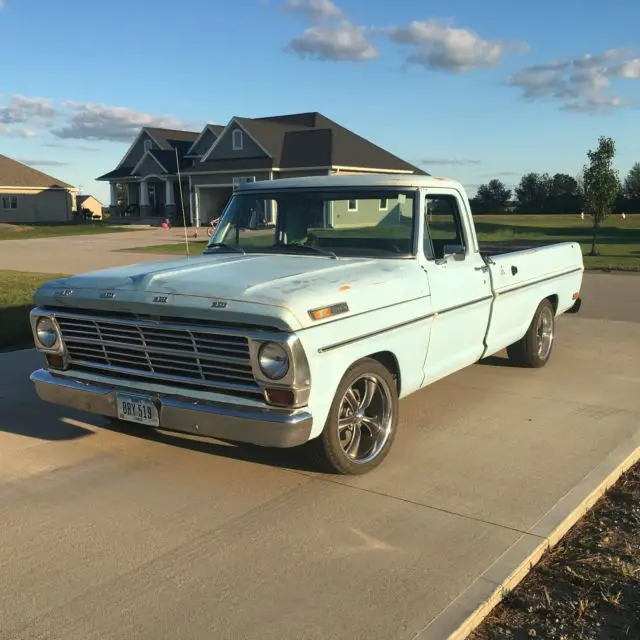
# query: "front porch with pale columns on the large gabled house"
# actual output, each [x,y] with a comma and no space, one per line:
[149,201]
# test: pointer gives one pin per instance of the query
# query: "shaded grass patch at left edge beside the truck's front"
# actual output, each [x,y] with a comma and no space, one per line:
[16,291]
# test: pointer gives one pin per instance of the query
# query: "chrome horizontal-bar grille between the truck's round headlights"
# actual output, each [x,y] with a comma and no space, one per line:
[156,352]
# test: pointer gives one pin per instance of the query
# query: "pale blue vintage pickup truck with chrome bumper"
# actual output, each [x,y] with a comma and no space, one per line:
[367,289]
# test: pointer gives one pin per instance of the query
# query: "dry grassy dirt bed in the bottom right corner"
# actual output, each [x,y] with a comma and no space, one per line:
[588,586]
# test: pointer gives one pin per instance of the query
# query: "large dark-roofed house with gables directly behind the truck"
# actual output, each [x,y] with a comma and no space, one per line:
[211,163]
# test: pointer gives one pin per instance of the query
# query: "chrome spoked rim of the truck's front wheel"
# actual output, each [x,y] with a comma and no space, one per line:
[365,418]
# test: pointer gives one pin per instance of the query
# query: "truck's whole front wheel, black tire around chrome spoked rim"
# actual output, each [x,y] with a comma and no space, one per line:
[331,447]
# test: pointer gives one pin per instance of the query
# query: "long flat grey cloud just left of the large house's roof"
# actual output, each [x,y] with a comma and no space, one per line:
[88,121]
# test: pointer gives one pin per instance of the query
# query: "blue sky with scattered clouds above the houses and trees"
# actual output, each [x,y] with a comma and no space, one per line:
[470,90]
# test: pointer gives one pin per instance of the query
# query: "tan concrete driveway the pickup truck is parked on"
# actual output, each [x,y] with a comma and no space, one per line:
[116,532]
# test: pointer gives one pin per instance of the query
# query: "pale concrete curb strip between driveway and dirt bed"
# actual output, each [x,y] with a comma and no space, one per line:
[474,604]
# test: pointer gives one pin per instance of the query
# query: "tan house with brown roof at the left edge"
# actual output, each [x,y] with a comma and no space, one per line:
[28,195]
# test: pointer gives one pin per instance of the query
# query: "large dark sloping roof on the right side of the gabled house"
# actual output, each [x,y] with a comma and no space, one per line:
[312,140]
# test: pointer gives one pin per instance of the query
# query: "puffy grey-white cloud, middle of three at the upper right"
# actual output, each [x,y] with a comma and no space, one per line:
[442,47]
